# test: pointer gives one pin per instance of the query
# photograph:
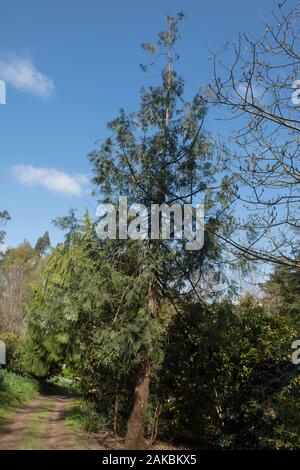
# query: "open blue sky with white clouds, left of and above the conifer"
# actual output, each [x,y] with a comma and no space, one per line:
[69,66]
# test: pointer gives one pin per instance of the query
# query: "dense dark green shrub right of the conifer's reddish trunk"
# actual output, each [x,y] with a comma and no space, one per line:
[235,370]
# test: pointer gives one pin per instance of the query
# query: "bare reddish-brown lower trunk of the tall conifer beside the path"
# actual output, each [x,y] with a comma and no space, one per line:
[135,428]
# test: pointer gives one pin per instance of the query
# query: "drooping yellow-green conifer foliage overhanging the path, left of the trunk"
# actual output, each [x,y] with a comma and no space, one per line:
[79,313]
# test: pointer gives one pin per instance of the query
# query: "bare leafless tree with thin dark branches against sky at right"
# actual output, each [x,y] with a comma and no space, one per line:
[261,94]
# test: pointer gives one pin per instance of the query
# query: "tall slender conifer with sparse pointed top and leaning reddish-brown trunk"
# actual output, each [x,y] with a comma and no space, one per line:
[162,155]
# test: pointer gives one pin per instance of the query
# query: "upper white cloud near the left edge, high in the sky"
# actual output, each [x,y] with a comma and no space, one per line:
[21,73]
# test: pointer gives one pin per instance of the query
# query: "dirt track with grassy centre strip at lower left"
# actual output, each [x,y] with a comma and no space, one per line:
[39,426]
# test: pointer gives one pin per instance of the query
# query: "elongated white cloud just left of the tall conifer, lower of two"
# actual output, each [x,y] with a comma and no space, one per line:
[52,179]
